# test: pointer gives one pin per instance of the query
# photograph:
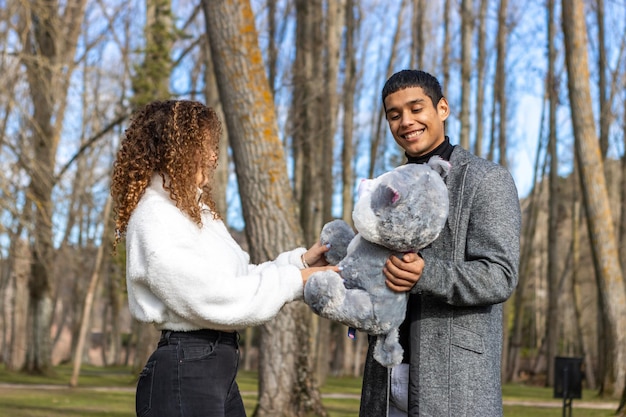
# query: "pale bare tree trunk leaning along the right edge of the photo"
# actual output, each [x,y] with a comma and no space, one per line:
[595,196]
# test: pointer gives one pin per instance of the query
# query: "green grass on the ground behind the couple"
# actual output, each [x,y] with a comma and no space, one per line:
[110,392]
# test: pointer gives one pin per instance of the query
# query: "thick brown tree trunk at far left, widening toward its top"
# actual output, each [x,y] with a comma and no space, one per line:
[50,43]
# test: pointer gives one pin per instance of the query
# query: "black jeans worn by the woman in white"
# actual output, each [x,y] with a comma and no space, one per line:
[191,374]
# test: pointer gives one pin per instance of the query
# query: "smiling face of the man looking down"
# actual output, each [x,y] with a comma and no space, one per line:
[416,125]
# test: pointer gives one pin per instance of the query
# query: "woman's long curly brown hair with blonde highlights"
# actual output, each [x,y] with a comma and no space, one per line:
[173,138]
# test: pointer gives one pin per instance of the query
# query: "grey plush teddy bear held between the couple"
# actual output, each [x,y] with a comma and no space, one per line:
[401,211]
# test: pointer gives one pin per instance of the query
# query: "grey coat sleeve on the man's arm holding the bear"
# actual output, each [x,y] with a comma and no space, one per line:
[477,264]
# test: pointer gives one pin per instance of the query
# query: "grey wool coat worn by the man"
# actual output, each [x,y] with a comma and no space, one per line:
[456,314]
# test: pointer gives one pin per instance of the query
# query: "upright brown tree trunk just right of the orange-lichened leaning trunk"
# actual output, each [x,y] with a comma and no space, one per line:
[312,138]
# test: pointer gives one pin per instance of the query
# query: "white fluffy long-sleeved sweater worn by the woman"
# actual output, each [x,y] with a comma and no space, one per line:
[184,277]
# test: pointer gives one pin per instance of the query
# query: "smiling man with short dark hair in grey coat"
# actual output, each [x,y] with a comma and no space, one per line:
[452,334]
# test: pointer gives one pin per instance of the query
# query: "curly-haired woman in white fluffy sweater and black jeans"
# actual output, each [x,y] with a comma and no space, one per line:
[184,271]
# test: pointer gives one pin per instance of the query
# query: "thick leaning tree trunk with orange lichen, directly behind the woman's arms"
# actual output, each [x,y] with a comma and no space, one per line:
[286,386]
